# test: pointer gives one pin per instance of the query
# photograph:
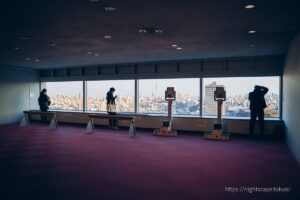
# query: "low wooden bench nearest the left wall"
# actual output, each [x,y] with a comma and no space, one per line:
[25,120]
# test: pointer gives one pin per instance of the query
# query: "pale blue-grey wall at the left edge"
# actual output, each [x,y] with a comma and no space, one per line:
[19,90]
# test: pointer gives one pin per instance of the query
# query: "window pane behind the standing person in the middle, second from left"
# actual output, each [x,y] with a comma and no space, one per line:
[96,95]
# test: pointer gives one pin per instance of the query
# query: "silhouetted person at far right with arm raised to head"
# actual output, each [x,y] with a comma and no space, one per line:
[257,106]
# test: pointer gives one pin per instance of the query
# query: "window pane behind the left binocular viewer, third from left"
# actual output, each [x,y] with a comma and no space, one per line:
[152,96]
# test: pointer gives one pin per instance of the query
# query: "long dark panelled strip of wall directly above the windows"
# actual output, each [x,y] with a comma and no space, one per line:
[227,67]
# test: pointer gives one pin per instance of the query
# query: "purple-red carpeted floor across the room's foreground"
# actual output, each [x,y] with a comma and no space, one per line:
[37,163]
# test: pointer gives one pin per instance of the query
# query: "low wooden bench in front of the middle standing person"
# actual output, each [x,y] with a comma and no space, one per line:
[90,126]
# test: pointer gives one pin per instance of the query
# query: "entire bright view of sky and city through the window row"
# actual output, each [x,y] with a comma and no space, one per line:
[69,95]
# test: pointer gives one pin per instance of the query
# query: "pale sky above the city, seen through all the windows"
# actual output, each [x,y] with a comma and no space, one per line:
[189,86]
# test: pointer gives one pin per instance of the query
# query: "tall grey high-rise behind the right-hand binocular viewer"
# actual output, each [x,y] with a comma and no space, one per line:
[210,105]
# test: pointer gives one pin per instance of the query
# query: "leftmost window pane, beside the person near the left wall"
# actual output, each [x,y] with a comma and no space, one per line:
[65,95]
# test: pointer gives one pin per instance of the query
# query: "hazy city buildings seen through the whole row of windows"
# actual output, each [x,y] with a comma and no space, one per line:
[235,105]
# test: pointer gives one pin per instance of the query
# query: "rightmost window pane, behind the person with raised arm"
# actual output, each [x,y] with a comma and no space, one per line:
[237,90]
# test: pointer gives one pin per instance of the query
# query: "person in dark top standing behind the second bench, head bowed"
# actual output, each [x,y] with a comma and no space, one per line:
[111,107]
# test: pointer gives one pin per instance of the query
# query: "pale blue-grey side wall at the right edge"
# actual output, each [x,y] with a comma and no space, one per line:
[291,97]
